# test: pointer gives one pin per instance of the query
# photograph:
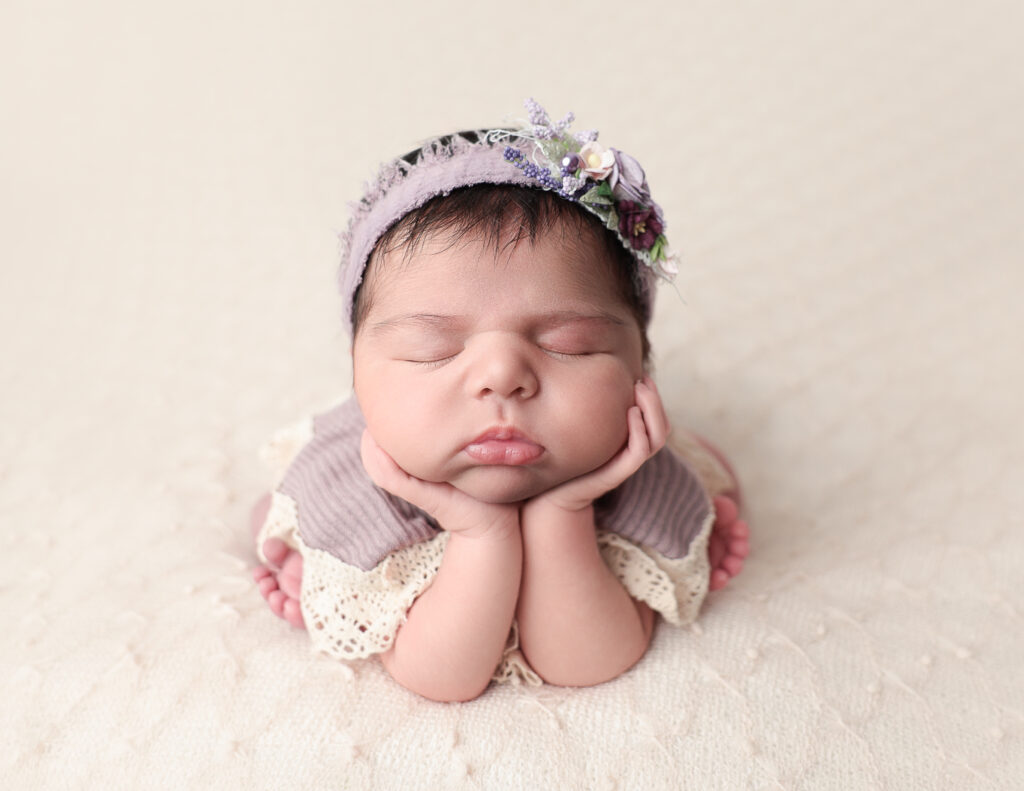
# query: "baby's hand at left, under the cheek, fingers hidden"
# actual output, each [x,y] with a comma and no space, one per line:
[455,511]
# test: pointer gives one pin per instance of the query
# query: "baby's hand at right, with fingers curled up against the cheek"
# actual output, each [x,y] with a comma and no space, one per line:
[649,428]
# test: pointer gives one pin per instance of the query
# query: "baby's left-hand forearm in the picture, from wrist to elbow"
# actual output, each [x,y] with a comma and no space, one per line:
[456,632]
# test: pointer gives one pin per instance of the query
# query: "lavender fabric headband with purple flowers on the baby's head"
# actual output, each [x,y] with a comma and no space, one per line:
[606,183]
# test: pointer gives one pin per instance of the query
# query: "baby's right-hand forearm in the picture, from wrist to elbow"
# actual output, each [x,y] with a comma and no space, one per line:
[578,627]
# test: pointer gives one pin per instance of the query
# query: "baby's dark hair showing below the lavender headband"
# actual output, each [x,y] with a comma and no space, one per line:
[503,216]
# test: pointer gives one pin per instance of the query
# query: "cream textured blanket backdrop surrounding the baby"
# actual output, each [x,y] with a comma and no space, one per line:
[845,184]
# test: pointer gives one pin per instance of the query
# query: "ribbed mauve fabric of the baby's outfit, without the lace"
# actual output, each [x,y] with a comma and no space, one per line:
[342,512]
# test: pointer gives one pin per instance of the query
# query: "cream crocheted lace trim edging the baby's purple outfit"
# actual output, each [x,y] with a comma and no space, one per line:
[354,614]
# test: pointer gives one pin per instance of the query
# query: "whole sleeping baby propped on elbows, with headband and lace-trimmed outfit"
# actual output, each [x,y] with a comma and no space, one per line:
[497,501]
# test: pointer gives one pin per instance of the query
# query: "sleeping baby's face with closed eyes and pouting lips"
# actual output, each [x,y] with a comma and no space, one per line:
[503,378]
